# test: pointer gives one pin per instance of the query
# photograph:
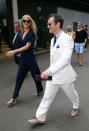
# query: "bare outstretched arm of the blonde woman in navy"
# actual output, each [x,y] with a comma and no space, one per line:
[11,53]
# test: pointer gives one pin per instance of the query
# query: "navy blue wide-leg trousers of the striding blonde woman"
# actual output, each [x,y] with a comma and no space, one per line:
[27,64]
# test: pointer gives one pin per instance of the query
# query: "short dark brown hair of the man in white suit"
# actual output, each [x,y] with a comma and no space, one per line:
[57,18]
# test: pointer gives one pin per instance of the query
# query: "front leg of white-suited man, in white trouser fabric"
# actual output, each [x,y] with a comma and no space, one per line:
[49,95]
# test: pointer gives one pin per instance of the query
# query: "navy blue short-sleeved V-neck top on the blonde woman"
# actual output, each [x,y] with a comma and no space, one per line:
[30,37]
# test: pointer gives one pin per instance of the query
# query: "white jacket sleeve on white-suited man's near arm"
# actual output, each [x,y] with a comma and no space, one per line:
[65,58]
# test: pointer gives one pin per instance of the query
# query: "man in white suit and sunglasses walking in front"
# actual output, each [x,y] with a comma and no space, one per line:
[60,68]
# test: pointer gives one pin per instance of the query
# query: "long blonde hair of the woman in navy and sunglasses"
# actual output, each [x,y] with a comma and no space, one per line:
[33,25]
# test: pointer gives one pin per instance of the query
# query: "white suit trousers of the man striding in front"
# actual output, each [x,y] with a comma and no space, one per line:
[49,95]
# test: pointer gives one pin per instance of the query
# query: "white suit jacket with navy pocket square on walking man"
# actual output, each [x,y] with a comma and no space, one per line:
[60,60]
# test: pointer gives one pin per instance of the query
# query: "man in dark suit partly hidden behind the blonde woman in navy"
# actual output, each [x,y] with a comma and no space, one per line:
[17,41]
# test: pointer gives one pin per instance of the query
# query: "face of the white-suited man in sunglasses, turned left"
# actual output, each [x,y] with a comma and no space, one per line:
[52,26]
